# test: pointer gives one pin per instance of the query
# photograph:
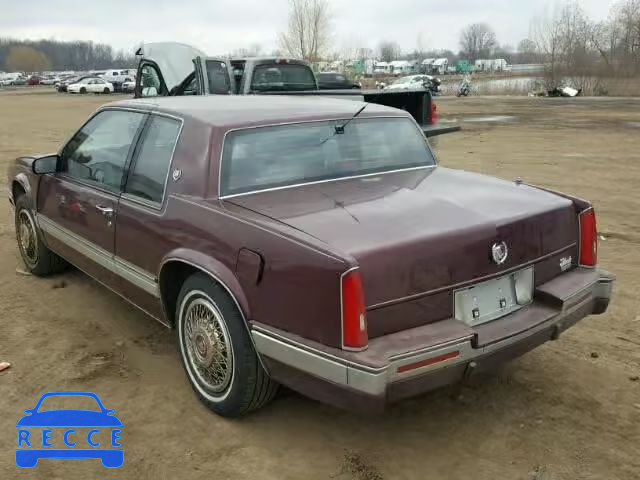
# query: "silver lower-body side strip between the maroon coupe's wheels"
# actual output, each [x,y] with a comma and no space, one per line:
[124,269]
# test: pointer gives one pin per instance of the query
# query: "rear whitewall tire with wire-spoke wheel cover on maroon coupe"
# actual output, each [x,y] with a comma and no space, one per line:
[216,350]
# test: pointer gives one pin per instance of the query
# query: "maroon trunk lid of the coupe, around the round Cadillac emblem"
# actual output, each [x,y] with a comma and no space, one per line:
[418,235]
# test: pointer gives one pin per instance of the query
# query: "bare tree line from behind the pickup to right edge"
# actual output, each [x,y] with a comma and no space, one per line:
[565,39]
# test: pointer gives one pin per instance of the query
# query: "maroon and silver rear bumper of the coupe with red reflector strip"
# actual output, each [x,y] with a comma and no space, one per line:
[414,361]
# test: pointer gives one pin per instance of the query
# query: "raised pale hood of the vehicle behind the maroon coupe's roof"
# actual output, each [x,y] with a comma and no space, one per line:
[174,59]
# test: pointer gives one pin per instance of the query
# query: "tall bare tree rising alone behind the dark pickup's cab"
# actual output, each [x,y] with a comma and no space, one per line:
[308,31]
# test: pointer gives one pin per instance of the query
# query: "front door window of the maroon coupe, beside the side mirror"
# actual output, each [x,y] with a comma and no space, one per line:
[97,154]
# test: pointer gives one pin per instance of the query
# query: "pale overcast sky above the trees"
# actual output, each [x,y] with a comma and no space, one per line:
[218,26]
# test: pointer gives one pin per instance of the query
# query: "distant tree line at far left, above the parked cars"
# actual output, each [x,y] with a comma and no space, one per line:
[54,55]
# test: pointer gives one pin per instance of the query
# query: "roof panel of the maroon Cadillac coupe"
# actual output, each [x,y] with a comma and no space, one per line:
[238,110]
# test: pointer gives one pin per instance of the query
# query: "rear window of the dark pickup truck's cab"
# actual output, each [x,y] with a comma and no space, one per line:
[276,77]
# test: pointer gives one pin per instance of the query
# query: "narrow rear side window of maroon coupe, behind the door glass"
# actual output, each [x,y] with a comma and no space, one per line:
[148,175]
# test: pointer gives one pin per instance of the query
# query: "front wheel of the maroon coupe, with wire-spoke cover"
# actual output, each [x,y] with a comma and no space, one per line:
[37,258]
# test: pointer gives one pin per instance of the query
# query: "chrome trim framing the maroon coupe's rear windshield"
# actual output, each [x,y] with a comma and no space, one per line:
[301,122]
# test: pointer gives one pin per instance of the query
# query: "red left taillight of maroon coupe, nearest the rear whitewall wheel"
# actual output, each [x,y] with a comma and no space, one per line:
[354,317]
